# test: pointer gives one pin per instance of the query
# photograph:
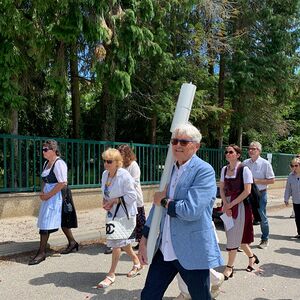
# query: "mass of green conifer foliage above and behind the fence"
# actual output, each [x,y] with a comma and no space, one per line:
[133,57]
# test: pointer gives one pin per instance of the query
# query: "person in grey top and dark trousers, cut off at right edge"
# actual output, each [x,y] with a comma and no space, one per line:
[292,189]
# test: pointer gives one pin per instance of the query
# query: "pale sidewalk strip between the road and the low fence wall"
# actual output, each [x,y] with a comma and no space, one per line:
[20,235]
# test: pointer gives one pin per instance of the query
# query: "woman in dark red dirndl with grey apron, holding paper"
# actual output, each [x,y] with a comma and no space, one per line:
[235,187]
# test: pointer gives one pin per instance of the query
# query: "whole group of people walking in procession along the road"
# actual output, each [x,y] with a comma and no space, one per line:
[187,245]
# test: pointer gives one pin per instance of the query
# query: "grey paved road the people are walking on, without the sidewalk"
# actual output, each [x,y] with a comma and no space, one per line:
[73,276]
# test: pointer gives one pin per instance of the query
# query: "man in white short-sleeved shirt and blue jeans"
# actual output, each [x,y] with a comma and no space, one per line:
[263,175]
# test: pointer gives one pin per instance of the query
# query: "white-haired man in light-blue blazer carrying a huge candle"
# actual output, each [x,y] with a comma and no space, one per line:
[187,243]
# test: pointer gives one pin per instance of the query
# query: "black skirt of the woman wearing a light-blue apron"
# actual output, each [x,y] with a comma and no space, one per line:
[68,219]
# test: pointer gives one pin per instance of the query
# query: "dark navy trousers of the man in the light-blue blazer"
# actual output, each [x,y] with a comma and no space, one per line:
[161,273]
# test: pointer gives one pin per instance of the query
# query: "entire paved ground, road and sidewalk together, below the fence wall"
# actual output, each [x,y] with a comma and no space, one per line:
[75,275]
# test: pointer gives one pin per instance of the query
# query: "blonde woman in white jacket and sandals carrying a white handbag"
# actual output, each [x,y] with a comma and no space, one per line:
[116,183]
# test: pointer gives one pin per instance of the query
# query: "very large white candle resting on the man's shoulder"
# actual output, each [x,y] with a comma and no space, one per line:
[181,116]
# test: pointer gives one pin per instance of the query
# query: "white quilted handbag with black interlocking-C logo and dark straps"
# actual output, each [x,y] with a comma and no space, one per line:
[120,228]
